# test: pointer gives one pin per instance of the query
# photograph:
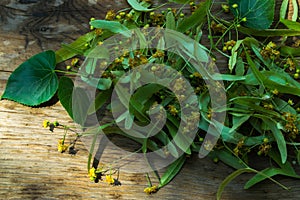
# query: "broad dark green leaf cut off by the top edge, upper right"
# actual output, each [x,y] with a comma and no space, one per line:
[259,14]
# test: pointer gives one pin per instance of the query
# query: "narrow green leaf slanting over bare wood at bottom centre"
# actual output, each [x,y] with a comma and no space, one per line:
[172,171]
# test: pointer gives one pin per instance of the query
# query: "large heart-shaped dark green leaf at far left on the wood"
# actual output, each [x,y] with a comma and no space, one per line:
[34,81]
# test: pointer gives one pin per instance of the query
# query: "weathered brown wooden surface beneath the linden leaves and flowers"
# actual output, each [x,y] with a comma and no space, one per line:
[31,167]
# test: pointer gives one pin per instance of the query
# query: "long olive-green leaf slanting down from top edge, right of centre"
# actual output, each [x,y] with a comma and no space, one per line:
[196,18]
